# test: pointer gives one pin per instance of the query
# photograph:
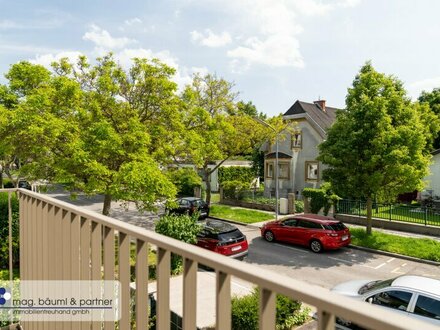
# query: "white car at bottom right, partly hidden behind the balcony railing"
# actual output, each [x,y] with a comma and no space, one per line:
[415,296]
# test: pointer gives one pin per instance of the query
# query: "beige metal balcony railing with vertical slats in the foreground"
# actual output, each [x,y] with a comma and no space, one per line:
[59,241]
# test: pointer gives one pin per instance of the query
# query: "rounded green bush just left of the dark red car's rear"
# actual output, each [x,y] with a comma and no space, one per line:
[182,227]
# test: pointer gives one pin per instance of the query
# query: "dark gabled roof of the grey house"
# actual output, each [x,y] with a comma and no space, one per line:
[320,119]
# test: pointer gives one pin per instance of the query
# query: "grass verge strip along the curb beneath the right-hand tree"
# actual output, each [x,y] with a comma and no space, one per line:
[423,248]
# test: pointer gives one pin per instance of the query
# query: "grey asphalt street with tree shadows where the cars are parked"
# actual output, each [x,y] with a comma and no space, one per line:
[325,269]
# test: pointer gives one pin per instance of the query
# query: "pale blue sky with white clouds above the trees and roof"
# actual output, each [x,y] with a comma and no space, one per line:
[274,51]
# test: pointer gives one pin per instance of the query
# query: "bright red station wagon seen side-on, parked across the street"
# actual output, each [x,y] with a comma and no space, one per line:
[316,231]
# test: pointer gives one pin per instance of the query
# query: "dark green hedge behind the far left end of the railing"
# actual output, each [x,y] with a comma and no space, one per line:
[4,231]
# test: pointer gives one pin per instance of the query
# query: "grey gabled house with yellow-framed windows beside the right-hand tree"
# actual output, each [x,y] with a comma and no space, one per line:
[298,167]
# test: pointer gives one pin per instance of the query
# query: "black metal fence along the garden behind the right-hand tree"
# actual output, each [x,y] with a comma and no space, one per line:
[392,212]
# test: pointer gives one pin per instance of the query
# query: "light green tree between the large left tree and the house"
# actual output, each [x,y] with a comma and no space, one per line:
[216,130]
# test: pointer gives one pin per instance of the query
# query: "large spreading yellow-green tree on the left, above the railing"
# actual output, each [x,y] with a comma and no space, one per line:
[98,128]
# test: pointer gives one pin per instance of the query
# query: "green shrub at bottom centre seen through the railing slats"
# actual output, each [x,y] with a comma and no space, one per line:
[245,311]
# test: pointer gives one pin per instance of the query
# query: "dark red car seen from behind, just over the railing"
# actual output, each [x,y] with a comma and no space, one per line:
[223,238]
